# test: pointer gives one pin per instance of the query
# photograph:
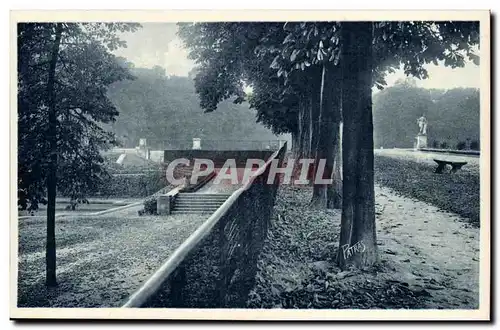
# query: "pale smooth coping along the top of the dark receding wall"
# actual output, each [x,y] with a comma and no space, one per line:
[150,287]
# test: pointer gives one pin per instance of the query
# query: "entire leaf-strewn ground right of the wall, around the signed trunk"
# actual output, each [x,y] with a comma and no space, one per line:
[428,258]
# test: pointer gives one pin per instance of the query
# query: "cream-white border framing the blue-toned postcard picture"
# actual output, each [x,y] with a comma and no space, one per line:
[230,314]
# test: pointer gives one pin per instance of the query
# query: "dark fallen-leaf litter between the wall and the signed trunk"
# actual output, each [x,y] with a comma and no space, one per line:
[296,268]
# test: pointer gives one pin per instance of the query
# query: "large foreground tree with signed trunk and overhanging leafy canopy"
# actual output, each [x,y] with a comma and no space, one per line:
[382,47]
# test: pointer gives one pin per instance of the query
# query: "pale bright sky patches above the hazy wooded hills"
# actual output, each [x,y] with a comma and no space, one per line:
[158,44]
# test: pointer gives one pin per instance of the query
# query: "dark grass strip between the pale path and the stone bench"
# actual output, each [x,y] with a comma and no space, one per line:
[457,192]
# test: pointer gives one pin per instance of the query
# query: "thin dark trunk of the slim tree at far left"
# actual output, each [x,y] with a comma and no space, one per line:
[50,254]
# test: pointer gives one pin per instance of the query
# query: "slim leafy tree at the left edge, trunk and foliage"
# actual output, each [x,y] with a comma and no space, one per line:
[64,69]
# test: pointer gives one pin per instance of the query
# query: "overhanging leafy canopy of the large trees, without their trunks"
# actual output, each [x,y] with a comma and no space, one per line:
[230,54]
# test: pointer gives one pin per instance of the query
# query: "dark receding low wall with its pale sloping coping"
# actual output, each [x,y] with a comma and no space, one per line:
[215,267]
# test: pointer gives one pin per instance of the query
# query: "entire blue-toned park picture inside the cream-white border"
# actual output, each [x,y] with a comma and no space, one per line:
[255,165]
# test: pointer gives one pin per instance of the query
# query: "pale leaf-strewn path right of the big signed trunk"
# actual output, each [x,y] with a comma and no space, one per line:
[431,249]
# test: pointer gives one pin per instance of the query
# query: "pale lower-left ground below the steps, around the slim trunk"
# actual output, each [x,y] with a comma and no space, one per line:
[101,260]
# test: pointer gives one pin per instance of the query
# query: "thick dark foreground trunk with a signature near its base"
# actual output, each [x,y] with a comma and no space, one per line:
[357,245]
